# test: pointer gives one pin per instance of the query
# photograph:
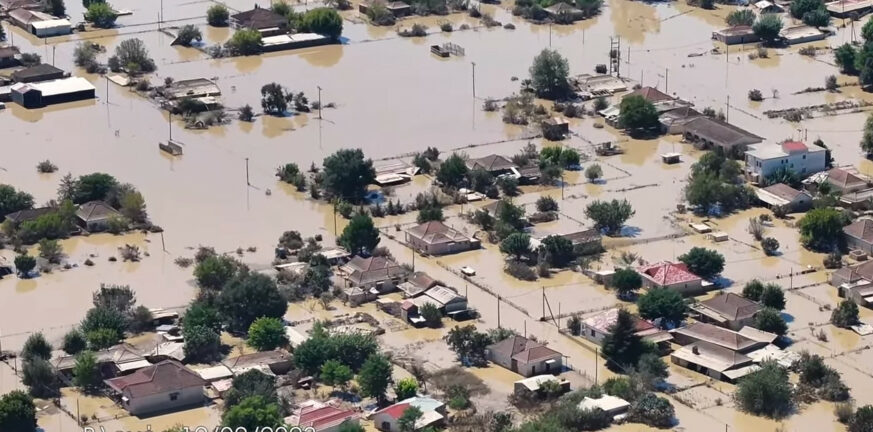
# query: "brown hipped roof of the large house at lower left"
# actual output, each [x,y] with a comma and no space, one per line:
[166,376]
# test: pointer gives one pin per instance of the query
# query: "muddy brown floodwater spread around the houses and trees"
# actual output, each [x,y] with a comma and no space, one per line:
[393,97]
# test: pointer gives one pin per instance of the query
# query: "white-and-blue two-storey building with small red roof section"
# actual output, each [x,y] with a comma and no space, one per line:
[765,159]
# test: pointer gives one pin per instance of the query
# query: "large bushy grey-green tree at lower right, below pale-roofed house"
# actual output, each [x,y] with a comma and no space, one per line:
[766,392]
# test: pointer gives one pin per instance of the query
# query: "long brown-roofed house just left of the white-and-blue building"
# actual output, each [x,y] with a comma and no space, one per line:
[705,132]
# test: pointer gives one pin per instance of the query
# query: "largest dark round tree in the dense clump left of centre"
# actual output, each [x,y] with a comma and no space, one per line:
[248,297]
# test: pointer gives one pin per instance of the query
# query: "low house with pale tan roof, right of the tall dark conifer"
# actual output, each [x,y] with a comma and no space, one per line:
[714,361]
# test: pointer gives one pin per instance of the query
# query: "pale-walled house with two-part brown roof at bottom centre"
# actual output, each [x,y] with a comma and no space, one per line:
[525,357]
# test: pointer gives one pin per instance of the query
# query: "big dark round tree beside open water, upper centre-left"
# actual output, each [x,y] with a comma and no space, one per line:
[347,174]
